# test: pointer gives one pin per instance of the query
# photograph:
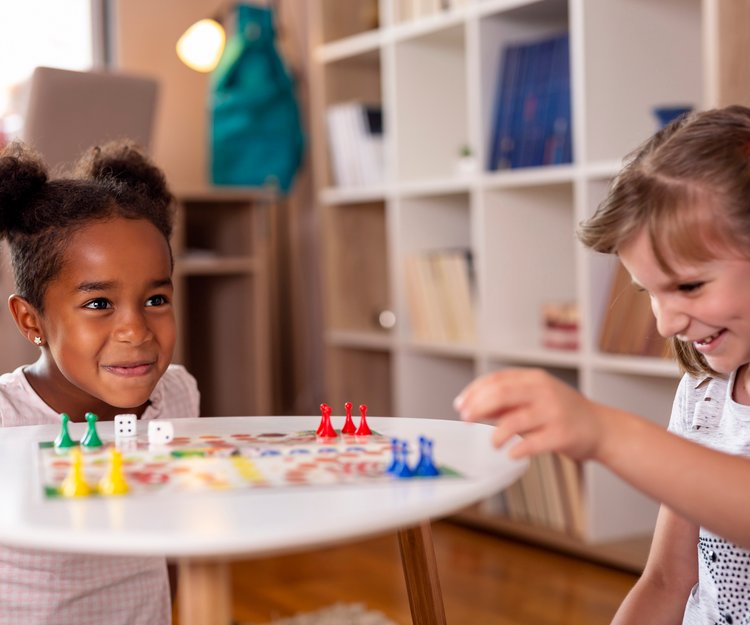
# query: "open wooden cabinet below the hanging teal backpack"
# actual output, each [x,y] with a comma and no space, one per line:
[222,246]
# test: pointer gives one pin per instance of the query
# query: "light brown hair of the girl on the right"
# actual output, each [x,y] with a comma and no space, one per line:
[689,187]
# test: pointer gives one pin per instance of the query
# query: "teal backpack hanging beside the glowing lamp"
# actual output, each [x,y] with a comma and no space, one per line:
[256,134]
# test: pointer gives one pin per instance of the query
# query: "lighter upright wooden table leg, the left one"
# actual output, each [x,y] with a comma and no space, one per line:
[204,594]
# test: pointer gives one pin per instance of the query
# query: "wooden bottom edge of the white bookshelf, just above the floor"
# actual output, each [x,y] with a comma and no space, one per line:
[629,555]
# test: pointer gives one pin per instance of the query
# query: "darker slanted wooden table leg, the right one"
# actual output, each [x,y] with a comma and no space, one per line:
[420,571]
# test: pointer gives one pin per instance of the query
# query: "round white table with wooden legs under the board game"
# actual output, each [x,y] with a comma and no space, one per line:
[202,530]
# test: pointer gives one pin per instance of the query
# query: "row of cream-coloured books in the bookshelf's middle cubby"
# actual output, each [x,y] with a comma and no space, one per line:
[439,296]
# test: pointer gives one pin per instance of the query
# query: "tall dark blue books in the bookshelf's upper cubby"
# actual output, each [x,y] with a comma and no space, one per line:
[532,112]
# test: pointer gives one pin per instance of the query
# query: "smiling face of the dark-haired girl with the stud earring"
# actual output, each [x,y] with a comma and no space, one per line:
[108,321]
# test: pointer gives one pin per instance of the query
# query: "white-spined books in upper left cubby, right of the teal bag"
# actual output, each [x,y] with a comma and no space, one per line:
[355,139]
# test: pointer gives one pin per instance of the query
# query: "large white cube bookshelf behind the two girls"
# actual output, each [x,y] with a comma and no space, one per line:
[435,77]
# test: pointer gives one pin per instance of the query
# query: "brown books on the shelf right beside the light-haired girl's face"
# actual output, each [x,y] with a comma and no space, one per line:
[629,325]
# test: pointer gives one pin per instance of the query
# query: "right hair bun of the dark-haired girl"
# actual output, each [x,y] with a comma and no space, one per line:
[124,163]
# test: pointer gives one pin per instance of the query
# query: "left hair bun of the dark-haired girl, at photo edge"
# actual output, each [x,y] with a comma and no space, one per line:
[23,175]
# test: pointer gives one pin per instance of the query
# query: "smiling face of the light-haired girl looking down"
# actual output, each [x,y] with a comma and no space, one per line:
[704,302]
